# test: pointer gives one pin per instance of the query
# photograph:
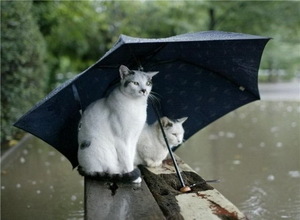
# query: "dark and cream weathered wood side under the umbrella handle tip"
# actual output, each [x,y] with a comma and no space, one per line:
[203,202]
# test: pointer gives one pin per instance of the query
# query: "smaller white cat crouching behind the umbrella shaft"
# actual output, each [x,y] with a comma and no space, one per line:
[151,147]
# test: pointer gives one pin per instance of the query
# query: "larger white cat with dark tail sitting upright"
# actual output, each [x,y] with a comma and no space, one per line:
[110,127]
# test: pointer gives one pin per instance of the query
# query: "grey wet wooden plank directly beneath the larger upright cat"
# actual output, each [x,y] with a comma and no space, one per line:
[110,201]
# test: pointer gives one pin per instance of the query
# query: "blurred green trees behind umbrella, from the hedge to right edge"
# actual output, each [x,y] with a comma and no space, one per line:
[78,33]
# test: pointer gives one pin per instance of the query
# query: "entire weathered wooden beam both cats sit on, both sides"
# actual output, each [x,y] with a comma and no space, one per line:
[158,197]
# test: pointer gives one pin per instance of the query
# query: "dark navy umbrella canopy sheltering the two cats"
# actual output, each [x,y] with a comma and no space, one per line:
[202,76]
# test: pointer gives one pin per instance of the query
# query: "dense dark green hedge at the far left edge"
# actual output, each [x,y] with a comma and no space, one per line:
[22,70]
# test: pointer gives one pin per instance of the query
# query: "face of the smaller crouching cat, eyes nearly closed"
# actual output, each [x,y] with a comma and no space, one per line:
[173,130]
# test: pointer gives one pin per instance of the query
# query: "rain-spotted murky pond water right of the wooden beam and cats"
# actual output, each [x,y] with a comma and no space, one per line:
[255,153]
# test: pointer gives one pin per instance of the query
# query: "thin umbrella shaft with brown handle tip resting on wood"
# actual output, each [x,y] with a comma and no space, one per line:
[183,188]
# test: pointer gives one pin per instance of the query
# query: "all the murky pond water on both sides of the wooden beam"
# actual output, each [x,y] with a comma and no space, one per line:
[254,151]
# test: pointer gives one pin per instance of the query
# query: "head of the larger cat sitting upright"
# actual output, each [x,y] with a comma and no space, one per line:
[136,83]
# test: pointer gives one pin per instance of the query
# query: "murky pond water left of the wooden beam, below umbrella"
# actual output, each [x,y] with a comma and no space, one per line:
[37,182]
